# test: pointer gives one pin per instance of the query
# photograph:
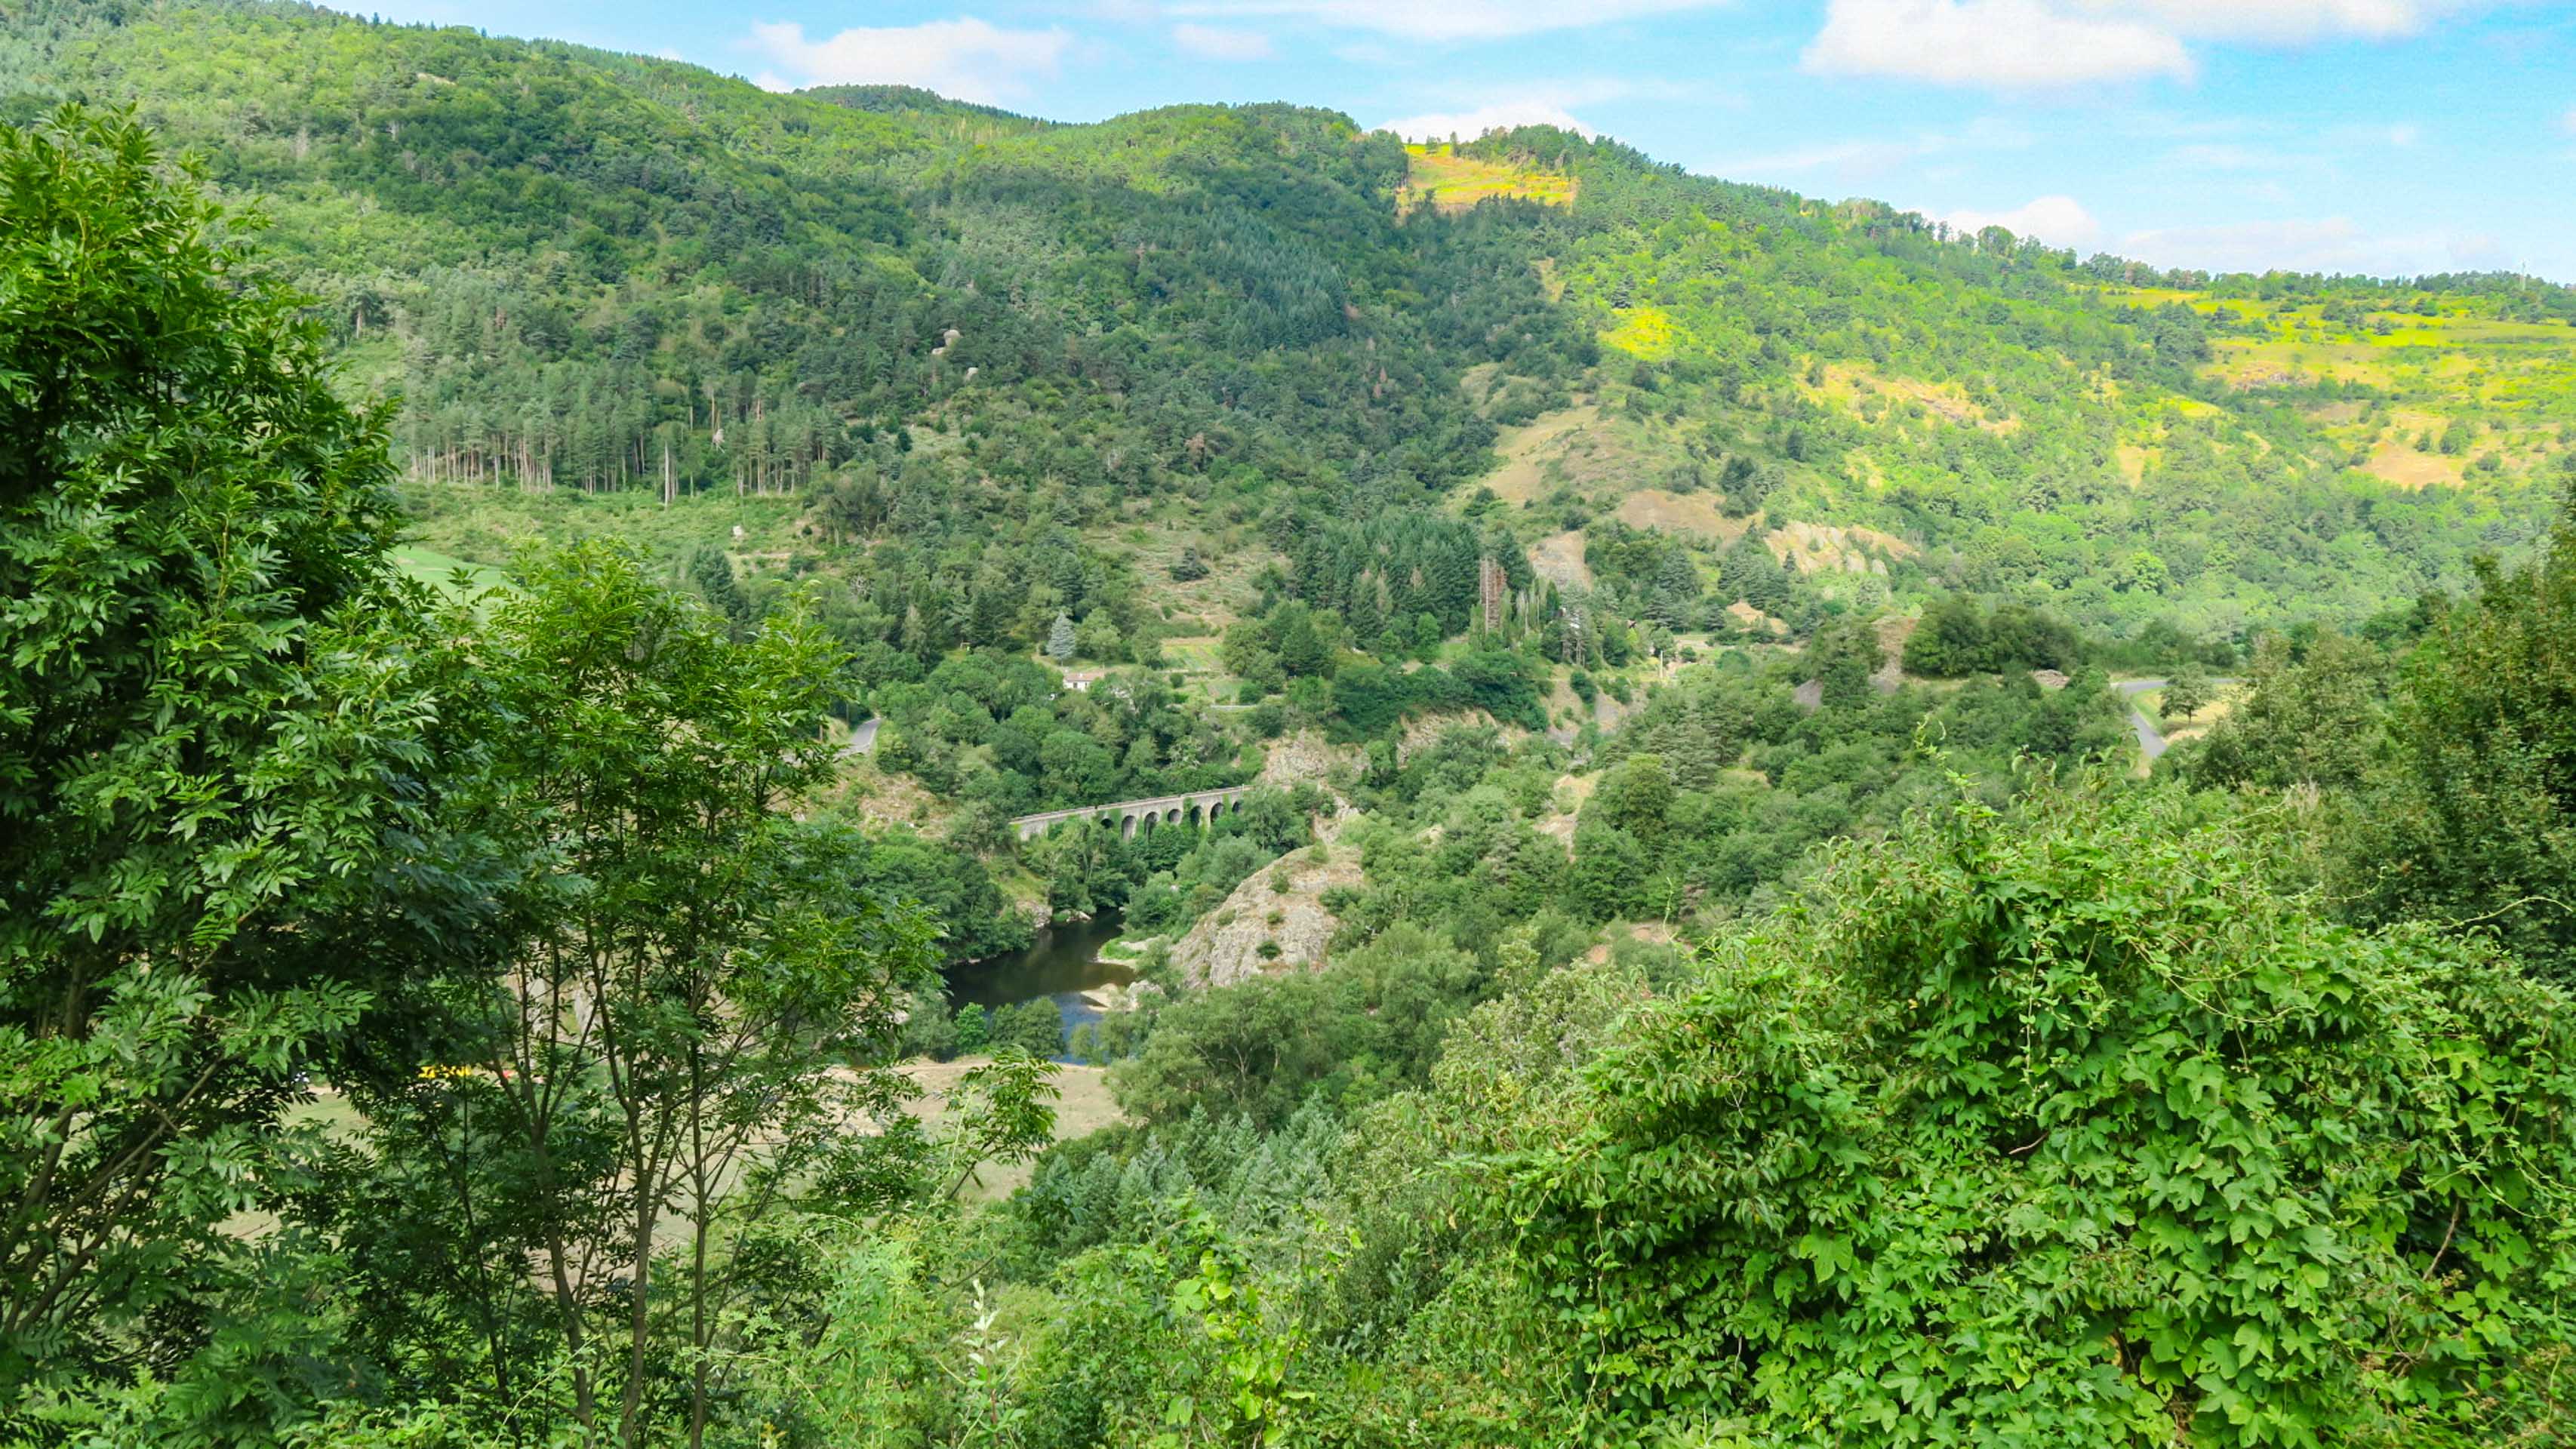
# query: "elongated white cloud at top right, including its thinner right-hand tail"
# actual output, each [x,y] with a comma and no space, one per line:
[2029,45]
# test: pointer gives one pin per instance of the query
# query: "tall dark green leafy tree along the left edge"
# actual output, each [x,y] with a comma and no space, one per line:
[205,745]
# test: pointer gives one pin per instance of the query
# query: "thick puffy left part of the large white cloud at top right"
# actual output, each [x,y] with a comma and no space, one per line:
[2016,45]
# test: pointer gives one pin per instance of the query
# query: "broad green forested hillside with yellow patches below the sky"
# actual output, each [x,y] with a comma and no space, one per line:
[1001,369]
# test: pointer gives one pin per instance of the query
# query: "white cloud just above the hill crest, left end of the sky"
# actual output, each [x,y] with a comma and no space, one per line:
[965,60]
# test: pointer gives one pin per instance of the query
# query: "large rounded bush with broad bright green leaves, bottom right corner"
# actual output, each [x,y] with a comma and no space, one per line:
[2060,1126]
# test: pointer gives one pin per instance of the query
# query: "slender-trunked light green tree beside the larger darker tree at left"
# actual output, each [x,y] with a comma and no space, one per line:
[681,959]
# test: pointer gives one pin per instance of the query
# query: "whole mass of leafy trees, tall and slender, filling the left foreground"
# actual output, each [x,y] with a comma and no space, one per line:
[527,900]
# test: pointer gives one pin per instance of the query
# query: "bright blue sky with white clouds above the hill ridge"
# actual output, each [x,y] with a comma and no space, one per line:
[2322,135]
